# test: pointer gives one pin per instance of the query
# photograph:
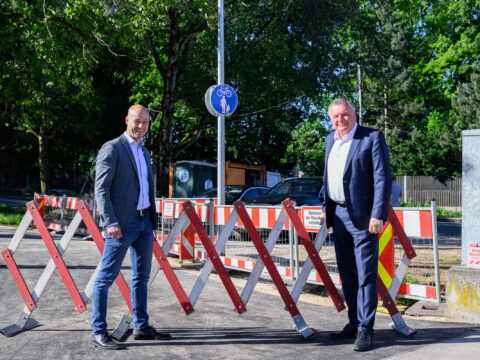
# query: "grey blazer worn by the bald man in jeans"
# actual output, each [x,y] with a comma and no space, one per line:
[117,186]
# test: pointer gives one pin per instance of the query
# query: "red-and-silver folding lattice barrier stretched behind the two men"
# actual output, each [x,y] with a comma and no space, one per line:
[192,217]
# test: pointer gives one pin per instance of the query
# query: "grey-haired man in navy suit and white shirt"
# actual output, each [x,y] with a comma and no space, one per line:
[358,183]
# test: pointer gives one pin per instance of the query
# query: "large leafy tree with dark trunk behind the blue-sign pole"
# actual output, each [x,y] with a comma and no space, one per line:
[276,58]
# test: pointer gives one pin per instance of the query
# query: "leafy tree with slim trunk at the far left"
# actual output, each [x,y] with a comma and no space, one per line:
[45,80]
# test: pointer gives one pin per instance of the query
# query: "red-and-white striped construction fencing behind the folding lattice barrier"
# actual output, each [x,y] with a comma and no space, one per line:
[419,224]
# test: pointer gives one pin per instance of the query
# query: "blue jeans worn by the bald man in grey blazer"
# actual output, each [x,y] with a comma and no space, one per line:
[139,238]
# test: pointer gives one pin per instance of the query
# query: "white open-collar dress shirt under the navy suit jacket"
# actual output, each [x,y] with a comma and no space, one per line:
[336,165]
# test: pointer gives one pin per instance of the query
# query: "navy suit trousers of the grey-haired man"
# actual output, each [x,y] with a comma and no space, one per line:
[357,260]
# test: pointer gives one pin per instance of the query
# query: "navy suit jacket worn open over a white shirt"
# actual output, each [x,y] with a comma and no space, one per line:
[367,179]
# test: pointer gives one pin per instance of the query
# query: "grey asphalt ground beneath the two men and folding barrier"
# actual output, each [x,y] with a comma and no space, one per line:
[213,331]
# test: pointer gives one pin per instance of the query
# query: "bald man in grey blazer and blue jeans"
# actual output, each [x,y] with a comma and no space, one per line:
[126,204]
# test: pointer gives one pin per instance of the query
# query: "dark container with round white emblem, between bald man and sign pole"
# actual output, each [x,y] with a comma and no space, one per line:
[190,178]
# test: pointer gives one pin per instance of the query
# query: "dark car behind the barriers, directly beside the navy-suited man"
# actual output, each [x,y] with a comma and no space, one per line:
[303,191]
